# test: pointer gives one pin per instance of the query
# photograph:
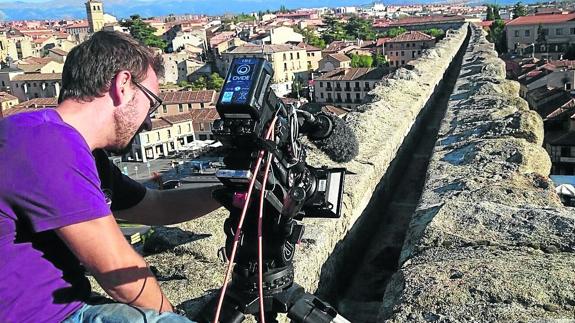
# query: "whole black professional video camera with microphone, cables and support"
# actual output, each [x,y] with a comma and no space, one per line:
[256,128]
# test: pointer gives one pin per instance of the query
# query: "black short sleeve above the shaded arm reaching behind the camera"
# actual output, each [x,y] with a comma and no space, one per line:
[126,192]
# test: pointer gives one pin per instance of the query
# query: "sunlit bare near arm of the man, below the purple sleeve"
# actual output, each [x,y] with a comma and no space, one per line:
[122,273]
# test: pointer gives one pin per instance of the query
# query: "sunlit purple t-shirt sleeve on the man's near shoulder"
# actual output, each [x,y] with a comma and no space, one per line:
[62,185]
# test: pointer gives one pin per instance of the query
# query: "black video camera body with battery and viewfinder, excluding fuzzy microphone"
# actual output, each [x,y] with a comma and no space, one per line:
[247,106]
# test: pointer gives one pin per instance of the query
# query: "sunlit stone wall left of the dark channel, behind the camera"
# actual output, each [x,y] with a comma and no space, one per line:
[187,258]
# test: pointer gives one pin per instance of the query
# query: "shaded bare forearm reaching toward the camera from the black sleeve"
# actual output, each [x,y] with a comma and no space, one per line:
[171,206]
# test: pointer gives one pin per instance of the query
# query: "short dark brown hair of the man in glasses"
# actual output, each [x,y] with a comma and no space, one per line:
[91,66]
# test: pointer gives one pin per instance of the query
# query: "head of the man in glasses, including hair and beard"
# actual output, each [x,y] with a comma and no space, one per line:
[114,64]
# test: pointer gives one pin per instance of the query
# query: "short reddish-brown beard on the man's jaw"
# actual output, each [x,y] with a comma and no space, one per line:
[126,128]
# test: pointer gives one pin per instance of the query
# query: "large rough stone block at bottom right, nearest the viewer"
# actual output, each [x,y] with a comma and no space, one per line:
[482,284]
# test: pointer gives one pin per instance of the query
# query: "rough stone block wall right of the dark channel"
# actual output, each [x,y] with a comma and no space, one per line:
[490,240]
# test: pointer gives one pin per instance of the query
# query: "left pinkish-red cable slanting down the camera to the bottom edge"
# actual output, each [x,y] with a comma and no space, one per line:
[240,224]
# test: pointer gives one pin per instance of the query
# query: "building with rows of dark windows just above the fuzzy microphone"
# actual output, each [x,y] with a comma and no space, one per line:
[346,87]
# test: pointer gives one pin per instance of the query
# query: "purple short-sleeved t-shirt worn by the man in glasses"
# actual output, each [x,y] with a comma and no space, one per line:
[48,179]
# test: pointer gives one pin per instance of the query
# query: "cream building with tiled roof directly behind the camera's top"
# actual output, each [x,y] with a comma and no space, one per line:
[289,63]
